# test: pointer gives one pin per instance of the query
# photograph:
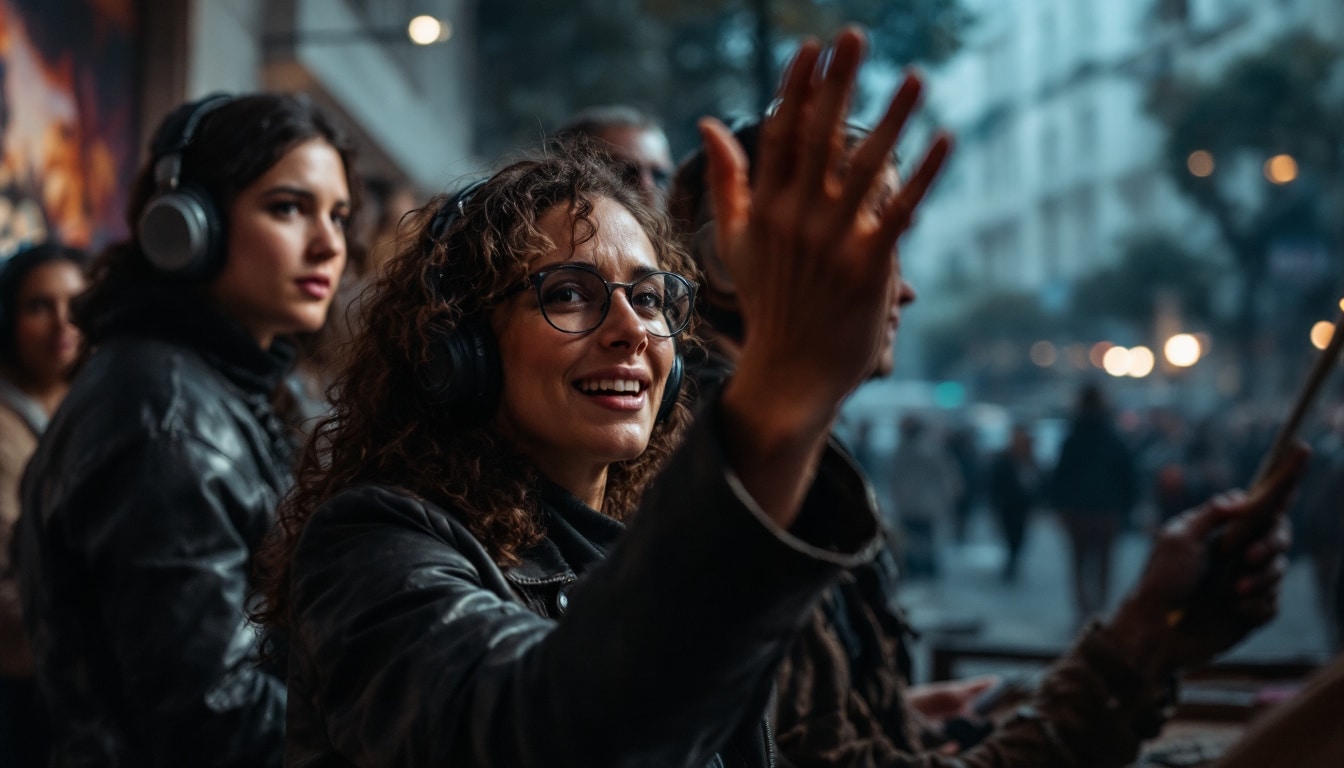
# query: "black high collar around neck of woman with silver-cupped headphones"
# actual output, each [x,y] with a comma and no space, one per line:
[185,317]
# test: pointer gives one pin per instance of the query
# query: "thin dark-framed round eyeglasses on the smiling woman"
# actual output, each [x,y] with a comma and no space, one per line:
[576,299]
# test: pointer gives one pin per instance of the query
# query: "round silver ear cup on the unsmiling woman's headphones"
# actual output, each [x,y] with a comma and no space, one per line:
[181,233]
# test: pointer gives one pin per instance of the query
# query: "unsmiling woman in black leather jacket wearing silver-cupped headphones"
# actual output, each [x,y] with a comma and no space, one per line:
[162,471]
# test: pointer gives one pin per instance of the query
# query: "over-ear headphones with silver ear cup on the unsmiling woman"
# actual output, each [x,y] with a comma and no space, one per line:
[181,231]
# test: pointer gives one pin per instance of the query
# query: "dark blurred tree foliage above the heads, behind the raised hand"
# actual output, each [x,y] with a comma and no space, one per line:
[679,60]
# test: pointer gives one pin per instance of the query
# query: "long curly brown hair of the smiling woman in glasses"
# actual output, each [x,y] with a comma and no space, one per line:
[386,428]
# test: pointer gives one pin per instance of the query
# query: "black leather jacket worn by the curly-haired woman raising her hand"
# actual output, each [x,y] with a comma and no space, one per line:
[411,648]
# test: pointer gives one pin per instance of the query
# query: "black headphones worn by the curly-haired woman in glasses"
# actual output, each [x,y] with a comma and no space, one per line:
[464,372]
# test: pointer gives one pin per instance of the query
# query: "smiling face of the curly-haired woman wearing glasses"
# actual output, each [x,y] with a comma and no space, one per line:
[577,403]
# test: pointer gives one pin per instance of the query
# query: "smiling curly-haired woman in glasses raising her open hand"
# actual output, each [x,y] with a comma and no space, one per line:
[462,571]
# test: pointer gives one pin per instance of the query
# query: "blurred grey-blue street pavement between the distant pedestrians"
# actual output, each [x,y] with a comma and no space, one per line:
[971,603]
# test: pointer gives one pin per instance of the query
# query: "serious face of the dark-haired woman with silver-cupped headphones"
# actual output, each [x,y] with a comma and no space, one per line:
[287,245]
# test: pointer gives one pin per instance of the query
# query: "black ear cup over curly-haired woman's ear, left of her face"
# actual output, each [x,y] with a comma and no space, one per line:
[464,373]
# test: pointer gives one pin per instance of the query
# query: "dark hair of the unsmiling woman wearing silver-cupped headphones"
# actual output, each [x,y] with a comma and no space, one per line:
[232,147]
